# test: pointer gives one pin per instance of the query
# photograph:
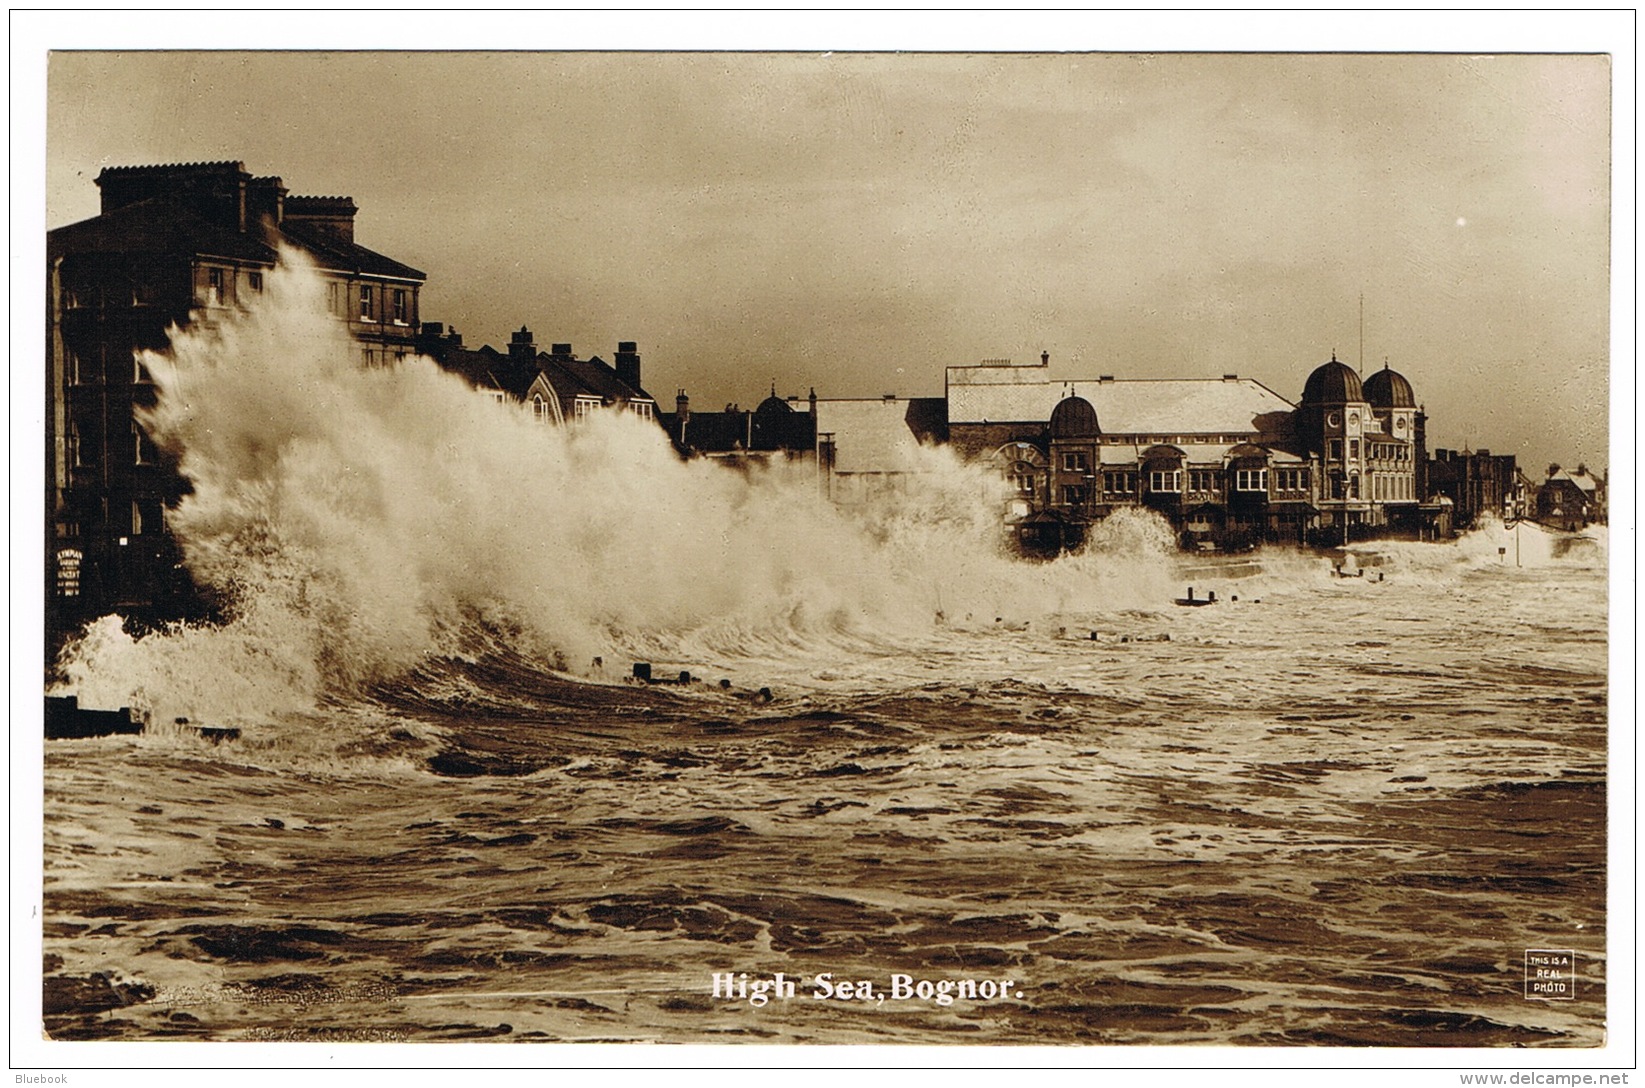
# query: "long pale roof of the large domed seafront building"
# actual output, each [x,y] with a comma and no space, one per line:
[1131,407]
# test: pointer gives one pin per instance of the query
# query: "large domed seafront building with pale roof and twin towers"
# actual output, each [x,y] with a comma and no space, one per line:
[1228,462]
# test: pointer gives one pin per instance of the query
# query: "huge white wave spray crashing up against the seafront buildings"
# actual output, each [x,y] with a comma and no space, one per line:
[361,521]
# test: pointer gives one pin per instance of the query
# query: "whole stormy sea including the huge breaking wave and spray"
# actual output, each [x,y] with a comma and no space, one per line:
[945,796]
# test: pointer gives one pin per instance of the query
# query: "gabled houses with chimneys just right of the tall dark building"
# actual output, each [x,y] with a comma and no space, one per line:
[555,386]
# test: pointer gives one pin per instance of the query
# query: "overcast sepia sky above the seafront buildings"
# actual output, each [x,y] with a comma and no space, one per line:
[855,223]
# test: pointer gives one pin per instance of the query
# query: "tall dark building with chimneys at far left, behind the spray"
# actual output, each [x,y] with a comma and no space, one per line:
[172,244]
